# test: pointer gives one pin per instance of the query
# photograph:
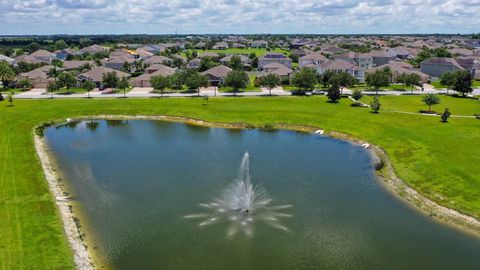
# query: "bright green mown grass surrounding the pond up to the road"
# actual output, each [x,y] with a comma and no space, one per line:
[439,160]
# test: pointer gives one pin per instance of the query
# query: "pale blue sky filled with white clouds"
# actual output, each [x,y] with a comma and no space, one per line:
[238,16]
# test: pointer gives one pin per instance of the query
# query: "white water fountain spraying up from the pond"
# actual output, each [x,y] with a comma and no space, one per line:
[243,204]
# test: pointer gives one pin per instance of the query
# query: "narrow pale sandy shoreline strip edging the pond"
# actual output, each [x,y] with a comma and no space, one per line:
[386,177]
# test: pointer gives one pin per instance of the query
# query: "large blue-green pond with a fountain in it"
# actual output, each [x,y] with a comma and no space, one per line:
[139,187]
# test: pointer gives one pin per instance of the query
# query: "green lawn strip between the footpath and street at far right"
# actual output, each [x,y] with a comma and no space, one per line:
[457,105]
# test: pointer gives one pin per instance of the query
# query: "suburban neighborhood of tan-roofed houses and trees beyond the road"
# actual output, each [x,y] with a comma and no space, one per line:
[429,57]
